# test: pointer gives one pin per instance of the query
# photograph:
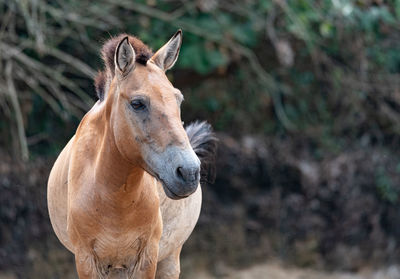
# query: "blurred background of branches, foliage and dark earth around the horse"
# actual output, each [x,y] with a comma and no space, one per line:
[304,97]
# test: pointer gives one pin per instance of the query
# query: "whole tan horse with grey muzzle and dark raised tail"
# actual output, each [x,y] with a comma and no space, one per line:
[124,195]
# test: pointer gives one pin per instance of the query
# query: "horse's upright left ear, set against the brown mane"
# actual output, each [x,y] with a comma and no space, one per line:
[124,58]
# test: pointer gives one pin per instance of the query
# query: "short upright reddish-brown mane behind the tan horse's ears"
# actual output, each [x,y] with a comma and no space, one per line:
[104,77]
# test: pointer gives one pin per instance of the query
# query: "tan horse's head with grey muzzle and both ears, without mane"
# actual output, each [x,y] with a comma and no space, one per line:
[146,120]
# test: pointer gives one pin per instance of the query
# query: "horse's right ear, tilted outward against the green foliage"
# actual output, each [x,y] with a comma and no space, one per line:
[167,55]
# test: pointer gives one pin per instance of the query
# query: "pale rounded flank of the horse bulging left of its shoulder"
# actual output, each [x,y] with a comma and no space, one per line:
[57,195]
